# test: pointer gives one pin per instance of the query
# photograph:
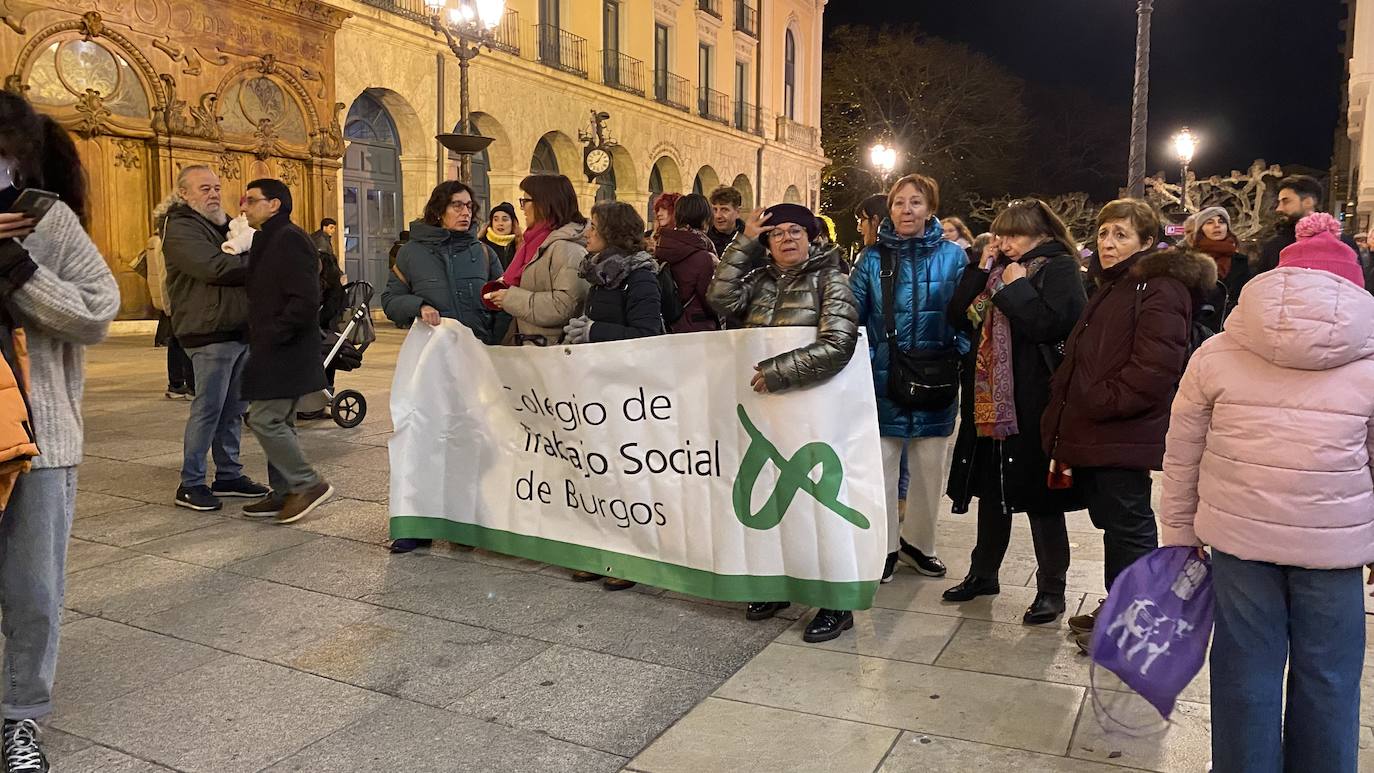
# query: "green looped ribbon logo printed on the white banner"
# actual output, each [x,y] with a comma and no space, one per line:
[793,476]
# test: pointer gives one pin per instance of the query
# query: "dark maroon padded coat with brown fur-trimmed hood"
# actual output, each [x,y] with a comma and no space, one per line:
[1110,404]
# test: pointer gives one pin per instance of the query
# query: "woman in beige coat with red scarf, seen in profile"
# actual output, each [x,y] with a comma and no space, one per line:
[542,289]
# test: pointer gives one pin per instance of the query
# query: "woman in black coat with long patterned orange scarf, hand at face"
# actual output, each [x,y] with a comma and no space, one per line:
[1019,310]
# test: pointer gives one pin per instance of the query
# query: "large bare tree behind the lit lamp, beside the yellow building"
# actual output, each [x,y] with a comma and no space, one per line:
[951,113]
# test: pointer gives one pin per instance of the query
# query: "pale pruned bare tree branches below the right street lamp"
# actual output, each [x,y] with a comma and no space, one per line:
[1247,196]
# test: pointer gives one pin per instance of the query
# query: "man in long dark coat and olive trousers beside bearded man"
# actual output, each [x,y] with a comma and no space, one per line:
[285,362]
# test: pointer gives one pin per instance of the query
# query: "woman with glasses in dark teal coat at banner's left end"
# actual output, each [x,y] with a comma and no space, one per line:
[440,274]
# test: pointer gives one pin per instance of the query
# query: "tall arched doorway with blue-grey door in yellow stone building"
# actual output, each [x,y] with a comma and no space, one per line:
[372,192]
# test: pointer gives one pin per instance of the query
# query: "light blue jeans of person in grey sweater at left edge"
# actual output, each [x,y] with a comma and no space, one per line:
[34,559]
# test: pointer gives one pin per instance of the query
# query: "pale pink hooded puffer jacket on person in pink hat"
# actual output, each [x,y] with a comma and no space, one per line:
[1273,432]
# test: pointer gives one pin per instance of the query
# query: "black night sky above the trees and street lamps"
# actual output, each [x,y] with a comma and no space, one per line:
[1255,79]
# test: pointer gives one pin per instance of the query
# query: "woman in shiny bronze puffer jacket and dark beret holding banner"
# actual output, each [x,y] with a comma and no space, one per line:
[774,275]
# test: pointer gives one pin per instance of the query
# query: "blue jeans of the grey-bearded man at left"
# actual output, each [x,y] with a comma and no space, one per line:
[216,421]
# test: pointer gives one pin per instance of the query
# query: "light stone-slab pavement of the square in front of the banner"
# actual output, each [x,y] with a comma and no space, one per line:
[214,643]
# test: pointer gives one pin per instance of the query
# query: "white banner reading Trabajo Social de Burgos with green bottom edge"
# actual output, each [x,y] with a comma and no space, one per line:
[649,461]
